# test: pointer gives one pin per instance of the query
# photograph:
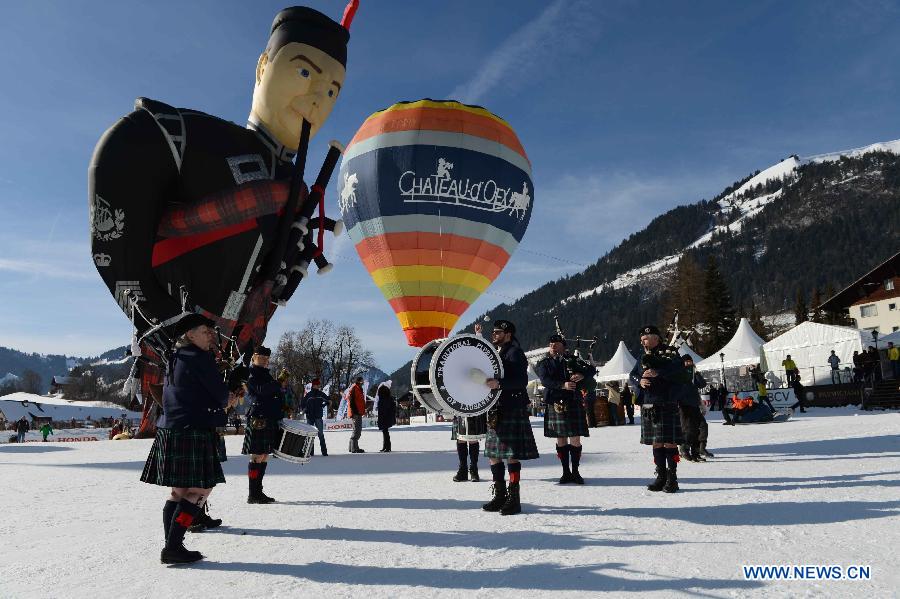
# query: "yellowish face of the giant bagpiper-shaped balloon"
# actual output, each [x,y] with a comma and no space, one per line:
[299,82]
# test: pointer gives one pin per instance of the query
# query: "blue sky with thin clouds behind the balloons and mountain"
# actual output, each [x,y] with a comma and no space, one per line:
[625,108]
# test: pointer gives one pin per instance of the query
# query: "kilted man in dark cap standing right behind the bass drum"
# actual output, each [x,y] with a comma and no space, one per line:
[509,435]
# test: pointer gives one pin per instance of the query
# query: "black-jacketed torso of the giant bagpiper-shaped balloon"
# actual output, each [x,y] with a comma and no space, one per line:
[182,201]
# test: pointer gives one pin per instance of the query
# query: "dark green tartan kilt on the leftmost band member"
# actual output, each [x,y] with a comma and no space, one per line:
[184,458]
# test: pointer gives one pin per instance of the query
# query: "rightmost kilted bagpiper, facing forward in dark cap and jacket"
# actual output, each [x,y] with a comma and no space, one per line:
[658,378]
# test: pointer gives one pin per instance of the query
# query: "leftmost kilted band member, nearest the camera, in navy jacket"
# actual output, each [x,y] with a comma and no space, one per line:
[184,453]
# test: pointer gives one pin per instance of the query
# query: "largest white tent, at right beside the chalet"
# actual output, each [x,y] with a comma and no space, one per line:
[810,344]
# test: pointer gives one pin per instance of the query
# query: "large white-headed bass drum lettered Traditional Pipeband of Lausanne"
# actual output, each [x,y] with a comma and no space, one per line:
[448,375]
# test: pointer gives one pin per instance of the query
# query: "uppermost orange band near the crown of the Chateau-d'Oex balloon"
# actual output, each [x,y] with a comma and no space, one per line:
[438,119]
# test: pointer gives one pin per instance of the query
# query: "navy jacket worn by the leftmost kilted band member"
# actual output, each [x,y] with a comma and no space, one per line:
[194,394]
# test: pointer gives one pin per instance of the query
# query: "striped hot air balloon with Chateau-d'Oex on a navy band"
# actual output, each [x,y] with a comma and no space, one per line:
[436,196]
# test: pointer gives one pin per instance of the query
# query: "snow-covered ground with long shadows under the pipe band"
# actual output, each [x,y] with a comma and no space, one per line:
[821,489]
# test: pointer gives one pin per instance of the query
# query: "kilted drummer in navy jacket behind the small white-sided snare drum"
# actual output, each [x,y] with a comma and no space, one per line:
[262,432]
